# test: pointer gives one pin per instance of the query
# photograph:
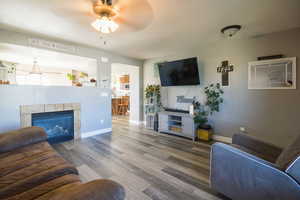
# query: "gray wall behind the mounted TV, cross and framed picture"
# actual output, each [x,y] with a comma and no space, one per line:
[272,115]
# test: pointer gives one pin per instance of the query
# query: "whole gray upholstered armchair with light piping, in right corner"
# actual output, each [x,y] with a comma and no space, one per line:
[250,169]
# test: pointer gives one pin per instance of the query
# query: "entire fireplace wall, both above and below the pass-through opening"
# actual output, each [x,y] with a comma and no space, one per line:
[95,102]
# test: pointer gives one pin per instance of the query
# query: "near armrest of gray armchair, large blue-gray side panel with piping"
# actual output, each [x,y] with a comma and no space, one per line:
[240,175]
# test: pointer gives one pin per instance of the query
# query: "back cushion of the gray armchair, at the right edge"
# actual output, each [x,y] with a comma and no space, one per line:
[289,154]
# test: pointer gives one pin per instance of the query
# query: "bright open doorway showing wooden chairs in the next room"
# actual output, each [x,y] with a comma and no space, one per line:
[125,93]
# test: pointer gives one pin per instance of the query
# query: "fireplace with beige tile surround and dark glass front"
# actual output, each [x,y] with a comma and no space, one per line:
[60,121]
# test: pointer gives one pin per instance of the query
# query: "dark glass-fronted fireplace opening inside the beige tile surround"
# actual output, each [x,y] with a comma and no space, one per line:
[59,126]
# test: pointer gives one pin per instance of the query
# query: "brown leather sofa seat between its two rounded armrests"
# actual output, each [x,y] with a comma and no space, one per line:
[25,168]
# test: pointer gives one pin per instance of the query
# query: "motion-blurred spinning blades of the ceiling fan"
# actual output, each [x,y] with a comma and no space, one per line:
[133,15]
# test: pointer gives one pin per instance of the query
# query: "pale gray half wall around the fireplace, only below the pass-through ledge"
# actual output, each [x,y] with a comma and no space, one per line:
[95,108]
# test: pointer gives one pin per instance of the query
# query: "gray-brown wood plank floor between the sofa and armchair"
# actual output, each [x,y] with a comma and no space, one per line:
[148,164]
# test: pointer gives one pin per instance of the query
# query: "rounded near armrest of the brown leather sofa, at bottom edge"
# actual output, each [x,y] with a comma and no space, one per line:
[94,190]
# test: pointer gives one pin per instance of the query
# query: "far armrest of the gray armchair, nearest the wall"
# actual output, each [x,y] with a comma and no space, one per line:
[256,145]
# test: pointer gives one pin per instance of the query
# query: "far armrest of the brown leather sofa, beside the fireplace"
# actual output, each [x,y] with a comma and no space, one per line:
[19,138]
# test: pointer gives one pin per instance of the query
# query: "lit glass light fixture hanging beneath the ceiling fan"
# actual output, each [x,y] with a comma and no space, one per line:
[105,25]
